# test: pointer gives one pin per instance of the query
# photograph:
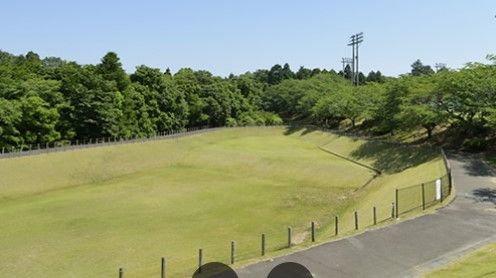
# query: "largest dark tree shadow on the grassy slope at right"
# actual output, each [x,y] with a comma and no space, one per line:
[390,158]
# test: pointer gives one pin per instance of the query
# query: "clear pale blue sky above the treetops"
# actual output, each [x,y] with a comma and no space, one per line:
[236,36]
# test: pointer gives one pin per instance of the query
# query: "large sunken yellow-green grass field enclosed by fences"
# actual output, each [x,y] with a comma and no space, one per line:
[84,213]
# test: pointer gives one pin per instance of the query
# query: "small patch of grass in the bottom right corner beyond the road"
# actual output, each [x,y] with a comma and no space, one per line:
[480,263]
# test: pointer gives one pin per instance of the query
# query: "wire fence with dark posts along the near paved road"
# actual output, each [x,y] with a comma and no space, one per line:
[406,200]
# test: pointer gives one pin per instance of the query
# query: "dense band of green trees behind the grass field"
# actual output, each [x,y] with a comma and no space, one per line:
[52,100]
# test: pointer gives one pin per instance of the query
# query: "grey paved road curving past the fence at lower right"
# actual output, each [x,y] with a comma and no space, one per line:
[410,247]
